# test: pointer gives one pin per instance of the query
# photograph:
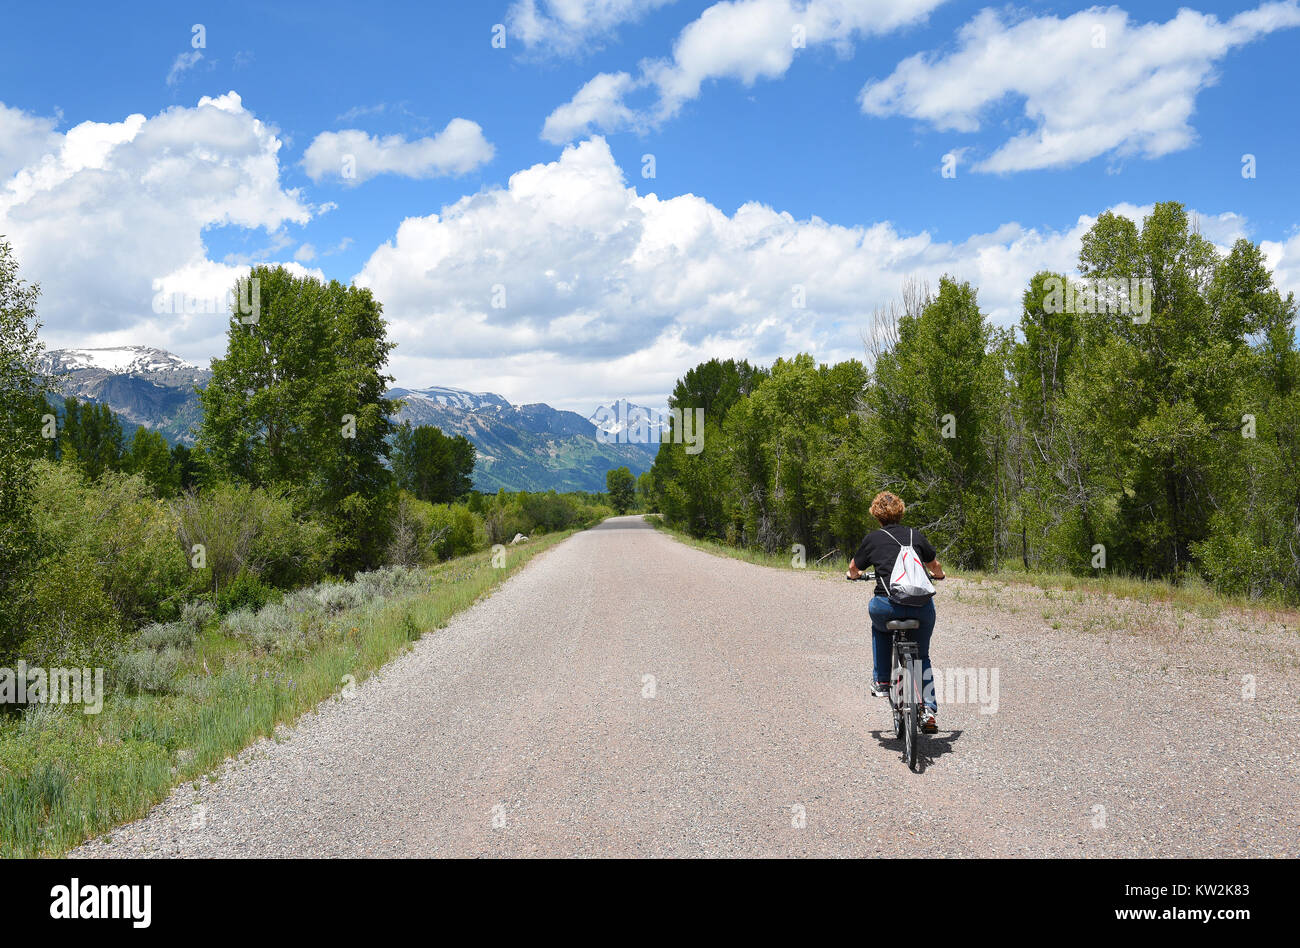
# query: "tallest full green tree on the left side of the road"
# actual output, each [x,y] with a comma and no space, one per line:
[298,402]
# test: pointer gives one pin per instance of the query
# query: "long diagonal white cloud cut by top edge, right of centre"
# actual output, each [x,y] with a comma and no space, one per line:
[735,40]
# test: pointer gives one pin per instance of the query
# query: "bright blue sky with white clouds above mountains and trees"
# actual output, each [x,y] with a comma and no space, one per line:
[573,202]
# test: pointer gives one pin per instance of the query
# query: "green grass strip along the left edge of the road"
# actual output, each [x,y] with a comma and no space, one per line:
[67,777]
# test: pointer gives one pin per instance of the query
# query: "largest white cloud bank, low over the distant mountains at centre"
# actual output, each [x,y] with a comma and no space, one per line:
[604,285]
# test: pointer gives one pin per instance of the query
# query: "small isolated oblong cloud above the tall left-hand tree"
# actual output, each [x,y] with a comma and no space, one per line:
[354,157]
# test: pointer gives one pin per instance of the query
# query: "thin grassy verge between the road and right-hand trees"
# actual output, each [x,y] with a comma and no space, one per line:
[1194,596]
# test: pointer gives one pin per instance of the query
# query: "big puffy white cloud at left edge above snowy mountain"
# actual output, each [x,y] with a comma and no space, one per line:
[112,214]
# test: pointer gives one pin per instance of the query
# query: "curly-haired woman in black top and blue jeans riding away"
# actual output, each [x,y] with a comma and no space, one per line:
[879,549]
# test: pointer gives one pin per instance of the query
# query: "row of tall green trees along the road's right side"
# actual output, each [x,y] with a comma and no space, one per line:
[1155,438]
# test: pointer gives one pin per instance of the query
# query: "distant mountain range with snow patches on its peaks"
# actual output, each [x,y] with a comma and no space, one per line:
[521,448]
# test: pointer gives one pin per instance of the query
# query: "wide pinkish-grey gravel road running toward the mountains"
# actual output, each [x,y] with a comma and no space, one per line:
[627,695]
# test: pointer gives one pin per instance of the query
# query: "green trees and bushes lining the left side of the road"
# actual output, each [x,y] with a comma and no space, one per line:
[298,475]
